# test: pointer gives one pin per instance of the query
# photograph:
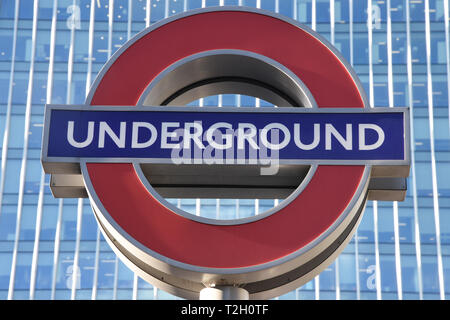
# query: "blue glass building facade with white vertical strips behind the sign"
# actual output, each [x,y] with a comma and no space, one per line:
[50,52]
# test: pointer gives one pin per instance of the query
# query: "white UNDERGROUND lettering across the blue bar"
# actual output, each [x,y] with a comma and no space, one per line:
[247,138]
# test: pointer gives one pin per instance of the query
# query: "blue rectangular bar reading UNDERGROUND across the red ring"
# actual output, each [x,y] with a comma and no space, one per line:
[288,133]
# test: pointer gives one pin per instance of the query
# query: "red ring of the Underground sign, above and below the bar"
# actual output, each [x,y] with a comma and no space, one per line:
[140,220]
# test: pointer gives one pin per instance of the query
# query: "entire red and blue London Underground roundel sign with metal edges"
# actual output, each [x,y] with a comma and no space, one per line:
[133,144]
